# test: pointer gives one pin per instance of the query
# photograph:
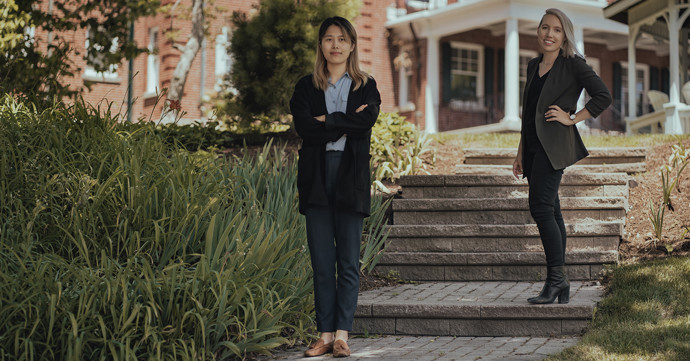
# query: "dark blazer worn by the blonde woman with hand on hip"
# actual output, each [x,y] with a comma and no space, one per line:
[567,78]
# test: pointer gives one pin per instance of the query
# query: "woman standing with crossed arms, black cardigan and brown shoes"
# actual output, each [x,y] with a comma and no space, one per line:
[333,110]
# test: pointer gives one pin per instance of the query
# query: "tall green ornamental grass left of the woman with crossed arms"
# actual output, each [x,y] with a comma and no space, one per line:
[118,245]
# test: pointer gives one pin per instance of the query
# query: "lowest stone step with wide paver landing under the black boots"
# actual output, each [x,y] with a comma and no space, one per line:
[473,309]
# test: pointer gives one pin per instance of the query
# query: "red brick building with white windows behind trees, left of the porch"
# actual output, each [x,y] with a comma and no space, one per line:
[212,62]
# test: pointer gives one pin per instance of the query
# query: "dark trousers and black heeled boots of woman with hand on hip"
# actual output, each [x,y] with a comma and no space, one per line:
[545,208]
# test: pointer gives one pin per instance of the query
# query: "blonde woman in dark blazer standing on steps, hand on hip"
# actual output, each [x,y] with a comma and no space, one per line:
[549,139]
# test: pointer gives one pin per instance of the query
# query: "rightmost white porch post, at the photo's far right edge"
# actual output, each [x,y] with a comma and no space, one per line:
[673,125]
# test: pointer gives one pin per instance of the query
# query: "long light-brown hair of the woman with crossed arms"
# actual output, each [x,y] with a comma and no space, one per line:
[320,78]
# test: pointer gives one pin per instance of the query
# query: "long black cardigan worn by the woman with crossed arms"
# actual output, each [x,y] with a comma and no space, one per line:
[354,184]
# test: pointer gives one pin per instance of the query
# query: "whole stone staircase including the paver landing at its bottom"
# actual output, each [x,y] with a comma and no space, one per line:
[470,239]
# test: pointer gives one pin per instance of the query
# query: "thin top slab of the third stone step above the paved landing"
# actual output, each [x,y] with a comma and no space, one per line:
[502,204]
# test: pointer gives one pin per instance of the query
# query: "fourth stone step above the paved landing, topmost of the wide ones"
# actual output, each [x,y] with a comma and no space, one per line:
[505,185]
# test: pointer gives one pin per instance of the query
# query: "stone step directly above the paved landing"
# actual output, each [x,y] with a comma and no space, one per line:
[490,266]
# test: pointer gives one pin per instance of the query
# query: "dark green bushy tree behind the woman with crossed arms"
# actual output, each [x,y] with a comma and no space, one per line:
[272,49]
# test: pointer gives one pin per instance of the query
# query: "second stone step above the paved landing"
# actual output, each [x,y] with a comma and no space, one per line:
[596,236]
